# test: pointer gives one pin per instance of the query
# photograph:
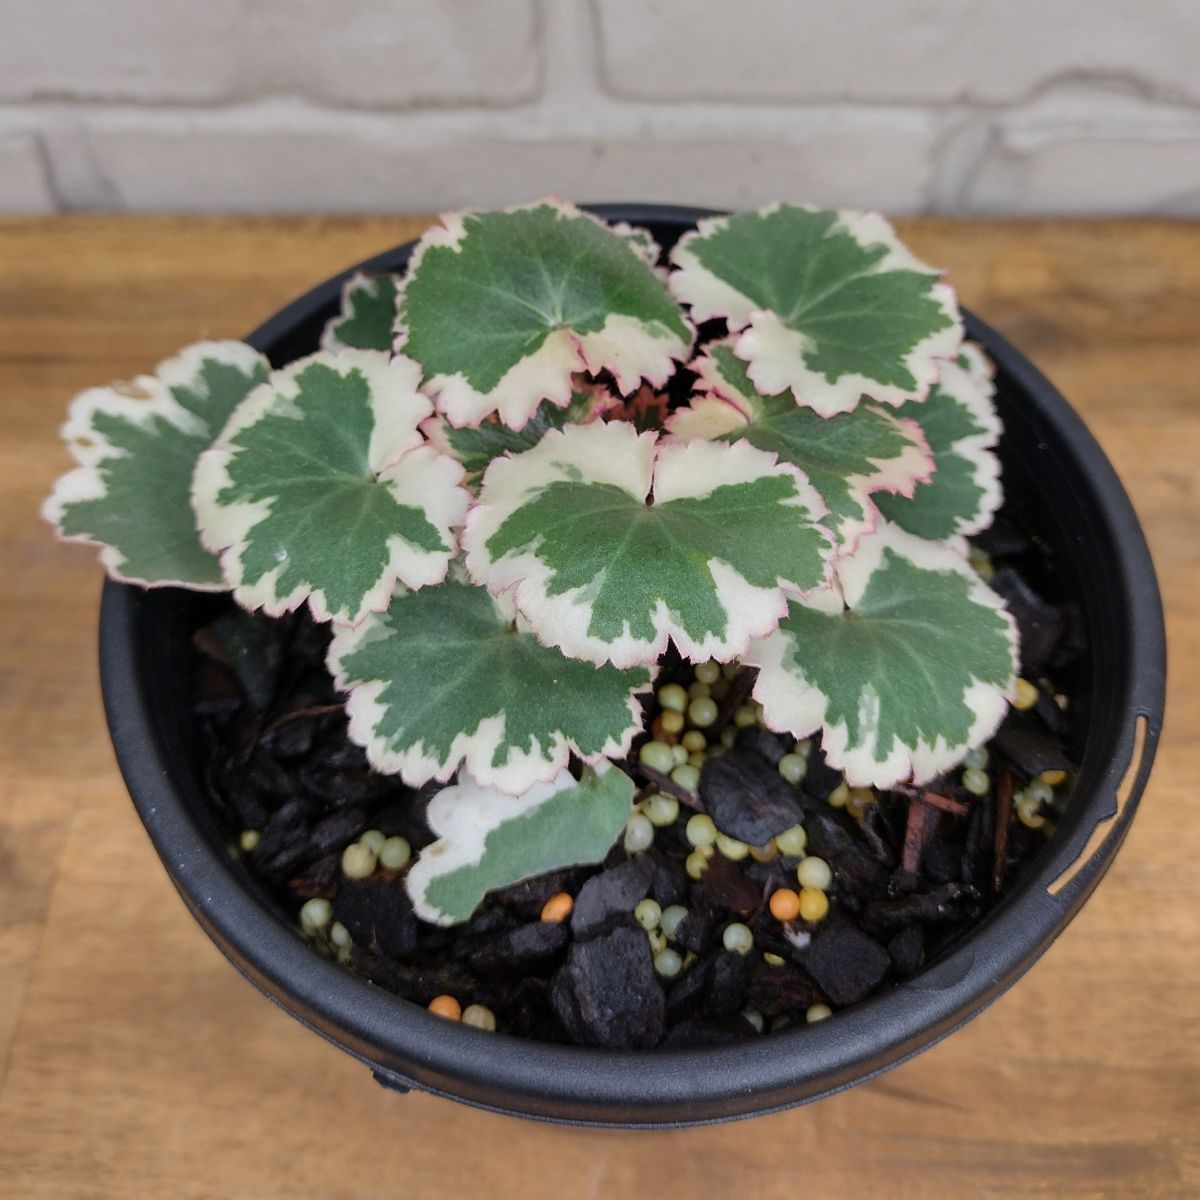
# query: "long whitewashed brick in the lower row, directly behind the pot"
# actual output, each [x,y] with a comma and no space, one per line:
[299,163]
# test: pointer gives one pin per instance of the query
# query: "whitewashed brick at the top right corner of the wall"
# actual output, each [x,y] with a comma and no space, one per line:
[907,51]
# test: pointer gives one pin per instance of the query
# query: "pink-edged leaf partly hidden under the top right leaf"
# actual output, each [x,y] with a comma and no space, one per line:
[847,458]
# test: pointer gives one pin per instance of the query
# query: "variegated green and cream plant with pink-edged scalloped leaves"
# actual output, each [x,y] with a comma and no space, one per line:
[511,481]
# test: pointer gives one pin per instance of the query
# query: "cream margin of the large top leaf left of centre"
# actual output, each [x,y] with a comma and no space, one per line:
[623,345]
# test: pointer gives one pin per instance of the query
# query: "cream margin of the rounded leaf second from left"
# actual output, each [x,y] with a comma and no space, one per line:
[415,473]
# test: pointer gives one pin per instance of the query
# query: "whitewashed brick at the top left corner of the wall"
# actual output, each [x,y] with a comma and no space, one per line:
[355,52]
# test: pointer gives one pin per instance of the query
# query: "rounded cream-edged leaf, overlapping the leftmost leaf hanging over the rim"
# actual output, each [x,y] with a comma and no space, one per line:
[321,489]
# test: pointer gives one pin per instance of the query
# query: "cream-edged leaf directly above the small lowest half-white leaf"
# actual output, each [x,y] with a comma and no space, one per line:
[505,706]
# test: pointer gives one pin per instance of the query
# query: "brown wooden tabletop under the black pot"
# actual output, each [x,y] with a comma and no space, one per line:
[136,1063]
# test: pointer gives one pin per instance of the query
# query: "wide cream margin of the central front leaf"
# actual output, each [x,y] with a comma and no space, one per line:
[634,463]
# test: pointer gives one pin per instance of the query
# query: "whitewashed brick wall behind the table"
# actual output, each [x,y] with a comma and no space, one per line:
[950,106]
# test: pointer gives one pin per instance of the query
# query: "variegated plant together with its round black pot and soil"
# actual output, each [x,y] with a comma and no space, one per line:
[611,551]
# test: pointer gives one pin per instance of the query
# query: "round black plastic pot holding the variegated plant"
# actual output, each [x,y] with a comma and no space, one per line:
[1060,487]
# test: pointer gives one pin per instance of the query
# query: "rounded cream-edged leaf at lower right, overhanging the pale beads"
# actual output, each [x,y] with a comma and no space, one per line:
[903,680]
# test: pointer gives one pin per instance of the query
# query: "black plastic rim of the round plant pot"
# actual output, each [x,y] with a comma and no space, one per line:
[410,1047]
